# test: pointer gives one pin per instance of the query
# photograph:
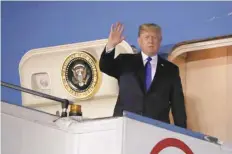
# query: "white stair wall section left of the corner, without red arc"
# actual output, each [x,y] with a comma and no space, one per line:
[33,132]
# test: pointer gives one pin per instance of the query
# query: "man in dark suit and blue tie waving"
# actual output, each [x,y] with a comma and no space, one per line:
[148,84]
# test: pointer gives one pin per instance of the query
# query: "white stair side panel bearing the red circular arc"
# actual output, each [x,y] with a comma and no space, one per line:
[141,138]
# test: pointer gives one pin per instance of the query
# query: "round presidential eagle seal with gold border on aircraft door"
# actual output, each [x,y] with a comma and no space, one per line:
[81,75]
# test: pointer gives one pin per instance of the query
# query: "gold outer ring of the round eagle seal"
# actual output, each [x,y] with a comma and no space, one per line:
[97,76]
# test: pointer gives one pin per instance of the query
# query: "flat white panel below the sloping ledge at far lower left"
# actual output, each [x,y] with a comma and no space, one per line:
[20,136]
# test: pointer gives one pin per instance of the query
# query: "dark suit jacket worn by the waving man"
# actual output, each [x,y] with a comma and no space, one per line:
[165,91]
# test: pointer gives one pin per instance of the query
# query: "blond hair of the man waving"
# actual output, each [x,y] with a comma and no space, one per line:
[149,26]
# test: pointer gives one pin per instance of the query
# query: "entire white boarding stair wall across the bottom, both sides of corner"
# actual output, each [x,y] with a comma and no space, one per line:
[25,131]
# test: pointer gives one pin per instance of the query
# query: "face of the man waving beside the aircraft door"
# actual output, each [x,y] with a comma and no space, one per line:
[149,42]
